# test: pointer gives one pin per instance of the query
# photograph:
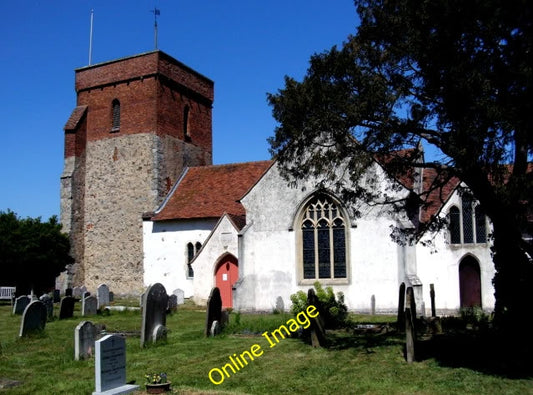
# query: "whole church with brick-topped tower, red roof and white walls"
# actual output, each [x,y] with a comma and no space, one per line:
[143,203]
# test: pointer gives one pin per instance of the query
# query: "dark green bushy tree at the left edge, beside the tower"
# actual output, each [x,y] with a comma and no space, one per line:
[32,253]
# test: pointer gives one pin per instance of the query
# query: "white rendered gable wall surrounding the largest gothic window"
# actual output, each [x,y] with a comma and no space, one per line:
[267,261]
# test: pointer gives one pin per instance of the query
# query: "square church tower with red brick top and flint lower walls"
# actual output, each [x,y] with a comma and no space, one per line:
[137,123]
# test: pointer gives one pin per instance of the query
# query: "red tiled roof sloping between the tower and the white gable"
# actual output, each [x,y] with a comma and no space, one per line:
[210,191]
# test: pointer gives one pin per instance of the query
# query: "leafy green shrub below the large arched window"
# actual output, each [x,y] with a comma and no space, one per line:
[333,308]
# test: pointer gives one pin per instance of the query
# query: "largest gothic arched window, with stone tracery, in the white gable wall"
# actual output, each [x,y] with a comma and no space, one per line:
[323,233]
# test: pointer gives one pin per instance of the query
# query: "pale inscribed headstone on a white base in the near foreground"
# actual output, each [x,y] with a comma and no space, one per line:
[110,366]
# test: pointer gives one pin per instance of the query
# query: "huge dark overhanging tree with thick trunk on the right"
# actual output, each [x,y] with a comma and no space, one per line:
[454,74]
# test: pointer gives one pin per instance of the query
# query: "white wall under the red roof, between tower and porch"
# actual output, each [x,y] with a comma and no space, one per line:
[165,251]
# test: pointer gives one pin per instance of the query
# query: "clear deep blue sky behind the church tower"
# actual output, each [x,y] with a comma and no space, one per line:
[245,46]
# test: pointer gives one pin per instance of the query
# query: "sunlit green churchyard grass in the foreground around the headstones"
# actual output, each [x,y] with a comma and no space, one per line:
[44,363]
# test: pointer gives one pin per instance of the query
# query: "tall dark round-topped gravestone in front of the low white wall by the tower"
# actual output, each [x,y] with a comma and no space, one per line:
[154,312]
